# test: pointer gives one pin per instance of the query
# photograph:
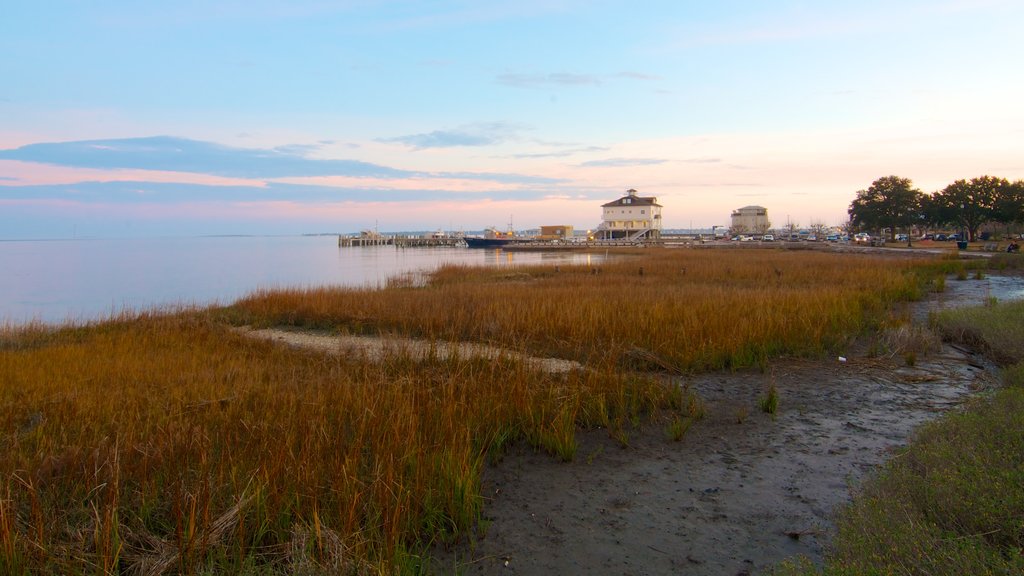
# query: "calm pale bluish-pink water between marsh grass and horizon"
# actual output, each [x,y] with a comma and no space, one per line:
[84,280]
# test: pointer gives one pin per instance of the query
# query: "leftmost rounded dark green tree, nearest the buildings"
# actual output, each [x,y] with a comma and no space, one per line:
[890,202]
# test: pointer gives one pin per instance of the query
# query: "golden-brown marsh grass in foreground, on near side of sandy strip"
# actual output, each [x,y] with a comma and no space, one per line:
[175,442]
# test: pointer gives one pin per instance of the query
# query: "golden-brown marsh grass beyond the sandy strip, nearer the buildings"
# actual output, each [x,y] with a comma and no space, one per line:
[731,310]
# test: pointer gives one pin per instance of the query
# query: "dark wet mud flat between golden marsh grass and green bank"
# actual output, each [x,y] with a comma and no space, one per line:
[743,490]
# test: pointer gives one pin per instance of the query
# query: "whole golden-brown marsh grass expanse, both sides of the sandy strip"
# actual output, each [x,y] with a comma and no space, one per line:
[168,443]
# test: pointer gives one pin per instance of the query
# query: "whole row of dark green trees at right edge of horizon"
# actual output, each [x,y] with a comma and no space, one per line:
[893,202]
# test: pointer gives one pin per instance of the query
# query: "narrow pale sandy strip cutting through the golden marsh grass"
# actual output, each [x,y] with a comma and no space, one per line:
[377,349]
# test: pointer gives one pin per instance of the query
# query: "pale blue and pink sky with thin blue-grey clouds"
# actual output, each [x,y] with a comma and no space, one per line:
[124,118]
